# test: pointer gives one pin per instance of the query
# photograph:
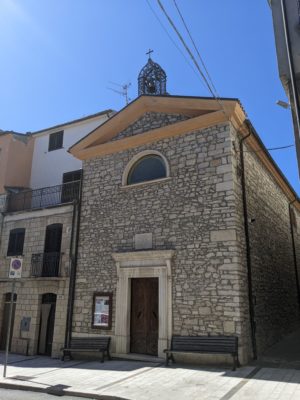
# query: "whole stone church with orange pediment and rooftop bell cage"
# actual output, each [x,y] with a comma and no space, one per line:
[187,227]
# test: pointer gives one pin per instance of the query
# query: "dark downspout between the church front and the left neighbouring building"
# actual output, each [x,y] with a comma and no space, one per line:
[73,269]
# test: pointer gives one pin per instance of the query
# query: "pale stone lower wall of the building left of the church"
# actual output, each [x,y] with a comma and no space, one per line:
[30,289]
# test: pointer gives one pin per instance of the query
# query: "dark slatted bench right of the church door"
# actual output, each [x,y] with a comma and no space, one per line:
[204,344]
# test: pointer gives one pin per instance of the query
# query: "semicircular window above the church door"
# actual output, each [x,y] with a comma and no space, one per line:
[147,168]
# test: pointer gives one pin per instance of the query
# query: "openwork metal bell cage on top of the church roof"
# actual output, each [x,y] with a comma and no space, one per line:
[152,78]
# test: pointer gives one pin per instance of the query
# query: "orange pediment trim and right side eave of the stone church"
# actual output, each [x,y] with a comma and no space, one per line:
[203,112]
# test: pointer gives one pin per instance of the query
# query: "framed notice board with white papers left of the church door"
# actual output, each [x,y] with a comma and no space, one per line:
[102,310]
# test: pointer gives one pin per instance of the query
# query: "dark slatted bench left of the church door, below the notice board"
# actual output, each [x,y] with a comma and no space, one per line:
[88,344]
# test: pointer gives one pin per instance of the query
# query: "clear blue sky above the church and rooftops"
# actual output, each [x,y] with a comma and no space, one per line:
[58,58]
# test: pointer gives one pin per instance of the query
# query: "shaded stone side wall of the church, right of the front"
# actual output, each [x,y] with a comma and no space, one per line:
[273,272]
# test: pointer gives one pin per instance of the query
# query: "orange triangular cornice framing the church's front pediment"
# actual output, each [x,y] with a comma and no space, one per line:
[92,145]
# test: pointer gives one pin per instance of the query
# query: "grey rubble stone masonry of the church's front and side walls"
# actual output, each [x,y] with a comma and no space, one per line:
[197,212]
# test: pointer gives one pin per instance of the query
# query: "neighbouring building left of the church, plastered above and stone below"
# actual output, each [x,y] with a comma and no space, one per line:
[40,182]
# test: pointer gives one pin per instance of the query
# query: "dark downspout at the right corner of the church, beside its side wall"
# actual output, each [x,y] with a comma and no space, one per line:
[248,249]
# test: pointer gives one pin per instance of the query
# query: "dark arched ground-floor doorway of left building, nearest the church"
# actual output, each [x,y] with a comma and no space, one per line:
[47,323]
